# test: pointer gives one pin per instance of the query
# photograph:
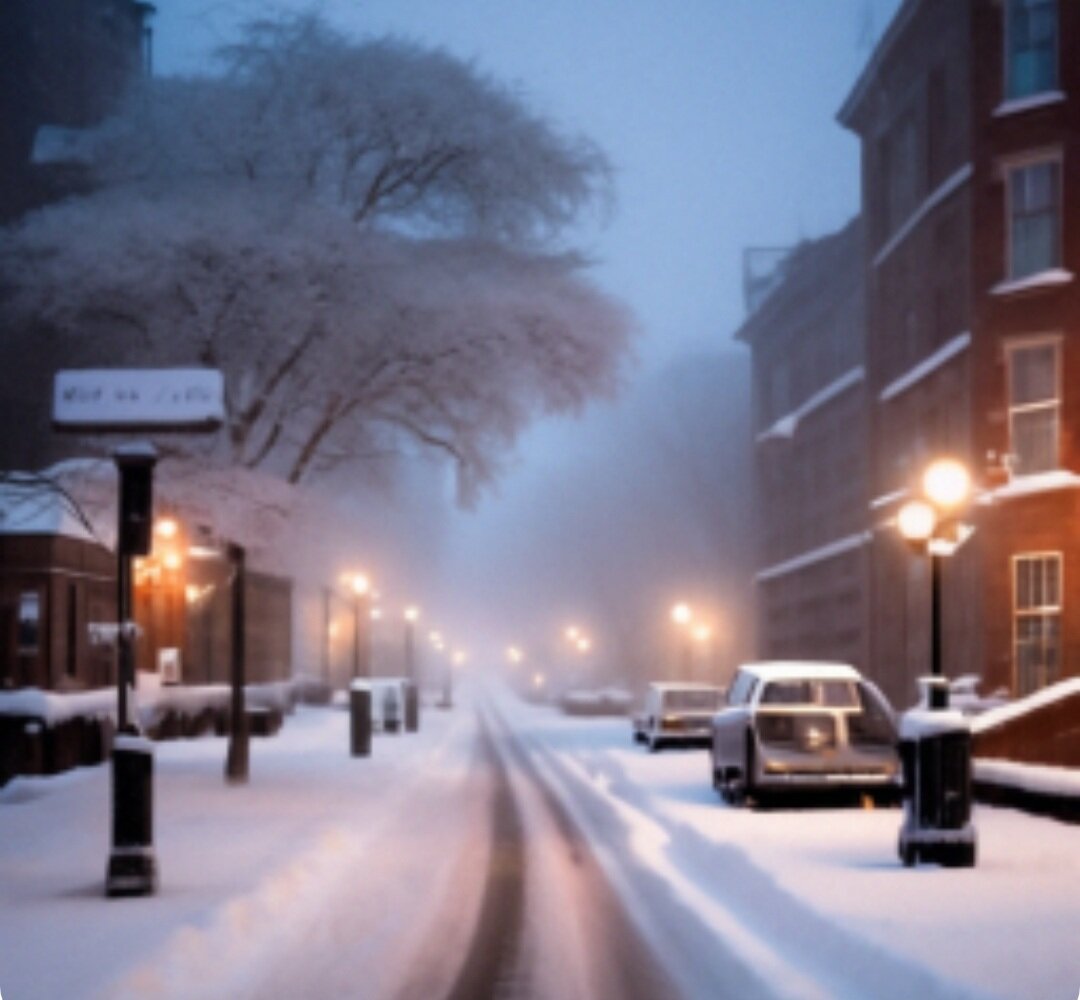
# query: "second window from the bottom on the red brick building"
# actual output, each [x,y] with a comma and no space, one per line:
[1034,407]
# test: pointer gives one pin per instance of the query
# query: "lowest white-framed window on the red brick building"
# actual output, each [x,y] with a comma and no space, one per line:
[1037,603]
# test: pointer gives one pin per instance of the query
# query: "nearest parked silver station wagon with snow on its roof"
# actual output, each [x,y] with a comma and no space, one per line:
[796,726]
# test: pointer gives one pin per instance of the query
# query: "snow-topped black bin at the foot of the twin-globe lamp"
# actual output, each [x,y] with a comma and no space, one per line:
[936,756]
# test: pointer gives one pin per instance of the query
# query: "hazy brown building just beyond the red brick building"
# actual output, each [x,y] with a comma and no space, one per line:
[806,340]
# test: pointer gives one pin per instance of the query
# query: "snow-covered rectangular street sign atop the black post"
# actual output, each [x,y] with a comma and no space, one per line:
[139,400]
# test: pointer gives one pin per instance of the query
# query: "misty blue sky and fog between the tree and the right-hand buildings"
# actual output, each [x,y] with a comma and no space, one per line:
[720,121]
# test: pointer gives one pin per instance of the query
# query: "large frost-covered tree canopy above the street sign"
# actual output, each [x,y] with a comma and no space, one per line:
[368,238]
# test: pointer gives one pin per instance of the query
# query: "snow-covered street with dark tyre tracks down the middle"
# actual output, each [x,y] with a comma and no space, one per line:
[332,876]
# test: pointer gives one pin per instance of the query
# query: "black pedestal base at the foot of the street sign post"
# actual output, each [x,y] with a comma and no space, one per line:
[133,867]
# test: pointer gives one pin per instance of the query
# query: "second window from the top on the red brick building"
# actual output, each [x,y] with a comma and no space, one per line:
[1035,215]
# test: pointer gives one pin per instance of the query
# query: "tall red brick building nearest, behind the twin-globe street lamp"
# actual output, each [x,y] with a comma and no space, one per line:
[969,119]
